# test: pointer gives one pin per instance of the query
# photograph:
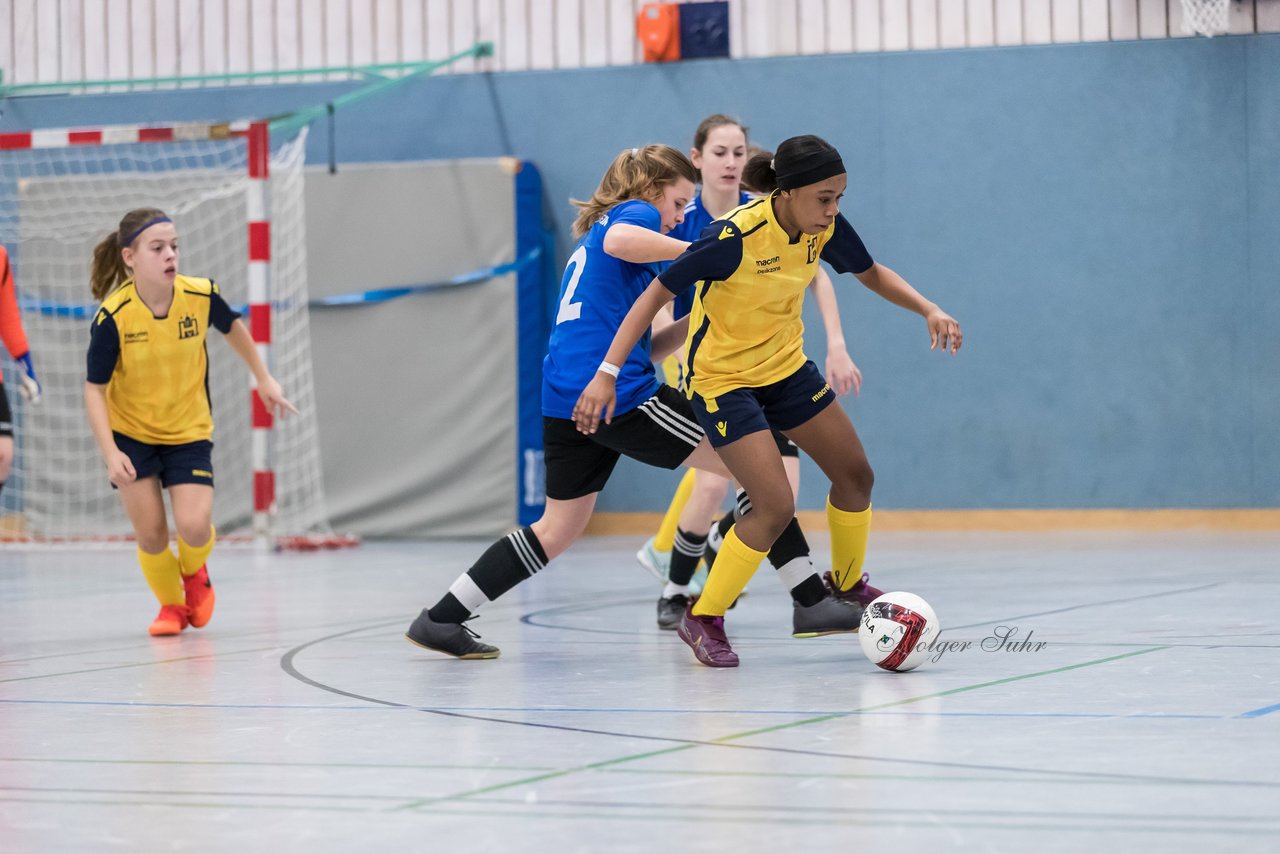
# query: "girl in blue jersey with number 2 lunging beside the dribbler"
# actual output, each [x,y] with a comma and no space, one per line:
[624,236]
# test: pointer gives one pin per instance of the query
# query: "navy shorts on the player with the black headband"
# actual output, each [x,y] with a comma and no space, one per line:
[779,407]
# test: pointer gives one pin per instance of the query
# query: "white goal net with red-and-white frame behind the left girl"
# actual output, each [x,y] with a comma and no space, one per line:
[61,194]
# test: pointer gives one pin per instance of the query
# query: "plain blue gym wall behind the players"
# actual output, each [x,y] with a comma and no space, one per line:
[1103,220]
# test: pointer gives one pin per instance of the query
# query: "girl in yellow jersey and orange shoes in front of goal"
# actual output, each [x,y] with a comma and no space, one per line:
[148,403]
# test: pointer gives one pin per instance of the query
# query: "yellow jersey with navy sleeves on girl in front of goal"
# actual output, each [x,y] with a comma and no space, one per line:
[157,369]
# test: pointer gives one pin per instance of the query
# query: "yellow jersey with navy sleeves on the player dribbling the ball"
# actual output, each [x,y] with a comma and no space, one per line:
[746,330]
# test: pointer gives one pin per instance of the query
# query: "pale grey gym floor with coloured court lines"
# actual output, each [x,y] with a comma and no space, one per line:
[1144,714]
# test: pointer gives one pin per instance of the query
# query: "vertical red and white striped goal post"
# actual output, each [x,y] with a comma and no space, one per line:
[260,325]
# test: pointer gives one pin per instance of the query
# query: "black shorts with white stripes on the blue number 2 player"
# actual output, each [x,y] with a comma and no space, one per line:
[661,432]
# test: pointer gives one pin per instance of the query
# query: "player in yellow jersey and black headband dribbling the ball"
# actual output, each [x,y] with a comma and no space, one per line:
[748,372]
